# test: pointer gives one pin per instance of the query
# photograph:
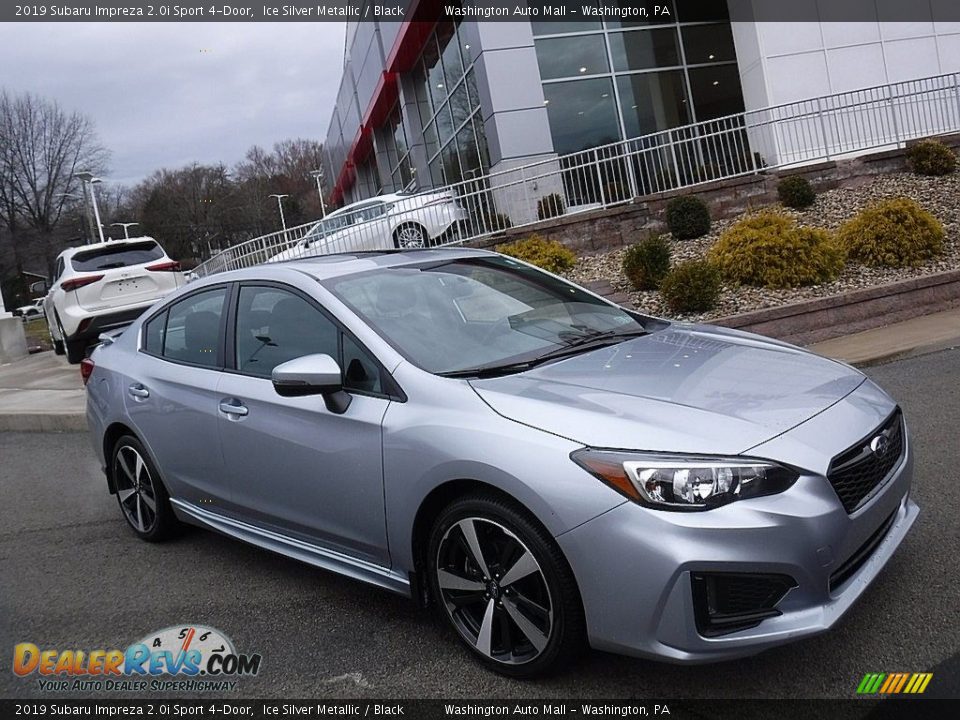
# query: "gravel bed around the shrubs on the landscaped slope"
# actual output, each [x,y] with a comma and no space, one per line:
[938,195]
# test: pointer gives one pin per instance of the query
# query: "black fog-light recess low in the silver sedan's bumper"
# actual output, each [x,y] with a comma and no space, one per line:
[726,602]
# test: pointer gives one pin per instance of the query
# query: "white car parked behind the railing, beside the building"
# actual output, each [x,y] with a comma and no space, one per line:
[396,220]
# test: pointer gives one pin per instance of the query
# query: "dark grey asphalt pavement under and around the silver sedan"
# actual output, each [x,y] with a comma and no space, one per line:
[73,576]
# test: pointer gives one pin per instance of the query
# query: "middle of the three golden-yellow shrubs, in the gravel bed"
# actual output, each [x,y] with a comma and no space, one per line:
[768,249]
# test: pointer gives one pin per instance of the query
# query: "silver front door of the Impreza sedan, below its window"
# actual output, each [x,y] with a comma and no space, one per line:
[303,470]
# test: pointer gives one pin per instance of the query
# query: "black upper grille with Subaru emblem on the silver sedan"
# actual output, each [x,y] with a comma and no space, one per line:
[854,473]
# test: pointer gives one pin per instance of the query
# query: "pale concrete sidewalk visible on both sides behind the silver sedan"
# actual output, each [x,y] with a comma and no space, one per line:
[43,393]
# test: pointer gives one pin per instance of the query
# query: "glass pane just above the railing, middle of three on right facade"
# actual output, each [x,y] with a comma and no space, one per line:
[653,102]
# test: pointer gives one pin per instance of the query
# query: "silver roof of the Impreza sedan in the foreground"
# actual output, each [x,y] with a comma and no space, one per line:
[323,267]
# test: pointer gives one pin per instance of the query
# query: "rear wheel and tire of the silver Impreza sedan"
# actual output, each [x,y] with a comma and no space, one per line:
[138,484]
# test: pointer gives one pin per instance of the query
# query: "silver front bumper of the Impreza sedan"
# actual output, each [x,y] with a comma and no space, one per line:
[634,565]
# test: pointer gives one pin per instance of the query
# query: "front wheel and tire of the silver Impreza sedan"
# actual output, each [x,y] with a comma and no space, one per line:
[523,616]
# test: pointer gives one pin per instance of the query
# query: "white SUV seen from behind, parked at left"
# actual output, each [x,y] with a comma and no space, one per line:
[104,286]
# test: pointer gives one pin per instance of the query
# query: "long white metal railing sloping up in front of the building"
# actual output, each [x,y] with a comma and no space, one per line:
[776,137]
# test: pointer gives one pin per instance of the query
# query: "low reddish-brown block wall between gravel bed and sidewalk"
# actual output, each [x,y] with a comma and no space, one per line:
[813,321]
